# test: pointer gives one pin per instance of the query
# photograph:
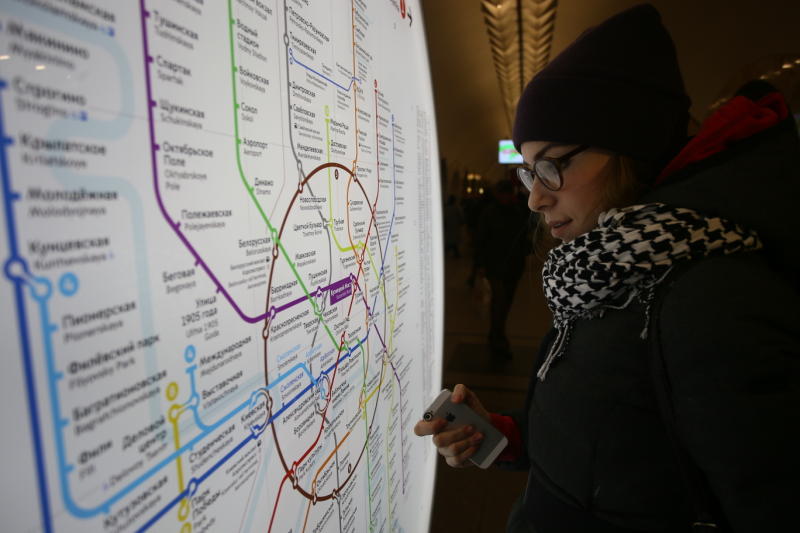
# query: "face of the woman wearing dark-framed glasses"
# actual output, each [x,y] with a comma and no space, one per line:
[573,209]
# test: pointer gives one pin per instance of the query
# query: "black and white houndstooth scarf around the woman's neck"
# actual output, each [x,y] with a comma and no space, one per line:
[626,256]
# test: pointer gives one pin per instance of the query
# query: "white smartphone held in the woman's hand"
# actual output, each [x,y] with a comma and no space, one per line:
[460,414]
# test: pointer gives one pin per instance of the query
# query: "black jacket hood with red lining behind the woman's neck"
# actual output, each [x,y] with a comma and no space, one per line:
[744,166]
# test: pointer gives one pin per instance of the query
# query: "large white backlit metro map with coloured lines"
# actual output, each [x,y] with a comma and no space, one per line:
[221,296]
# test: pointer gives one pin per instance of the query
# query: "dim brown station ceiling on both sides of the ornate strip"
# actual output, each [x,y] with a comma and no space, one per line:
[716,40]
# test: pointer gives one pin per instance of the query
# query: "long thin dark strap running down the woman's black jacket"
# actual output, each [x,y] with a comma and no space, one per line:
[694,480]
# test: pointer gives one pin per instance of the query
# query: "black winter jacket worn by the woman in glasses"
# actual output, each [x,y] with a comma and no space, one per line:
[729,328]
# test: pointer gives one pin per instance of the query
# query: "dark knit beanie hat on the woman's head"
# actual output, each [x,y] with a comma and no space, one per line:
[617,87]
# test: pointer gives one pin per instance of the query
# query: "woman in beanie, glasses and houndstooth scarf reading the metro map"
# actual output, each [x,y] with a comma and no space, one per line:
[667,395]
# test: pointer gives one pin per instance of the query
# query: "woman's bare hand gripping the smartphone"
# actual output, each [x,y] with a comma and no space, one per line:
[455,445]
